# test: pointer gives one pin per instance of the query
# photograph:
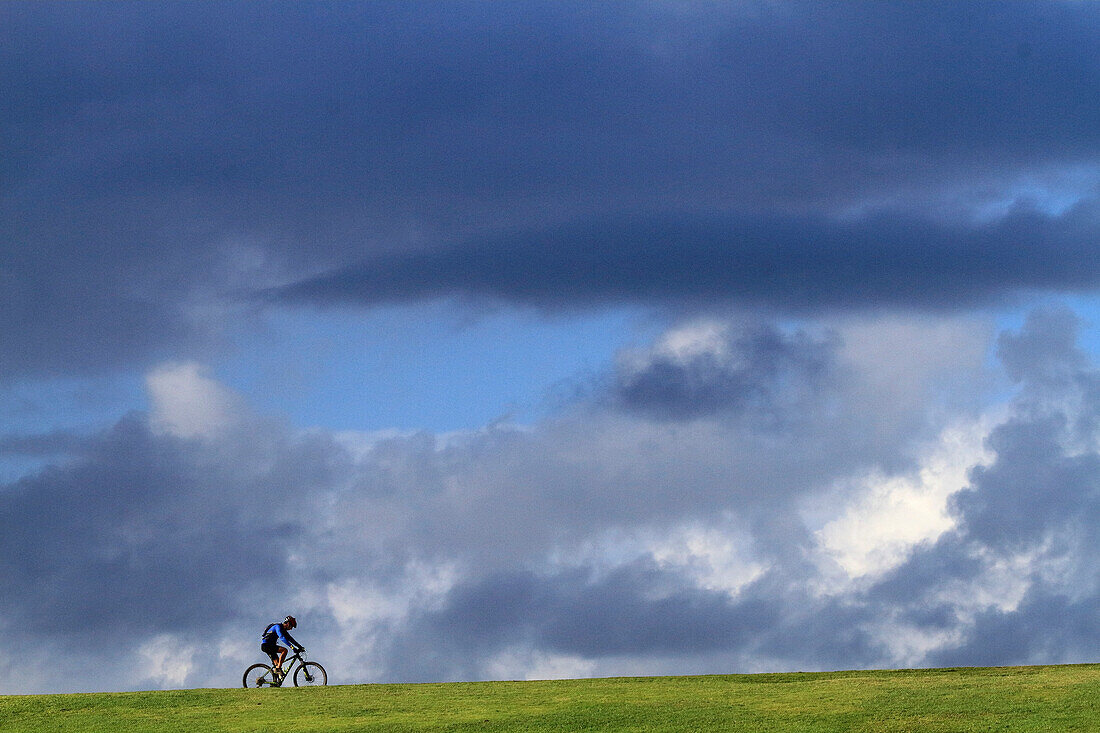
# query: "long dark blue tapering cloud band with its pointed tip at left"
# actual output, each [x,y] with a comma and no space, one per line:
[795,265]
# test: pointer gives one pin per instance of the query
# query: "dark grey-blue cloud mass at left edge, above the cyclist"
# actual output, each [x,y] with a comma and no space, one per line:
[144,534]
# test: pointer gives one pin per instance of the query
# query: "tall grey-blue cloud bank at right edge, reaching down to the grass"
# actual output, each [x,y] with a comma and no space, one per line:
[1036,509]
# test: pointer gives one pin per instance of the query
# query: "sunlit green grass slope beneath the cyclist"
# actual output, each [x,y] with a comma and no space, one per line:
[1064,698]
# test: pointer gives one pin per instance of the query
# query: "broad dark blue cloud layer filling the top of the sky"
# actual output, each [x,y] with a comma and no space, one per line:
[373,82]
